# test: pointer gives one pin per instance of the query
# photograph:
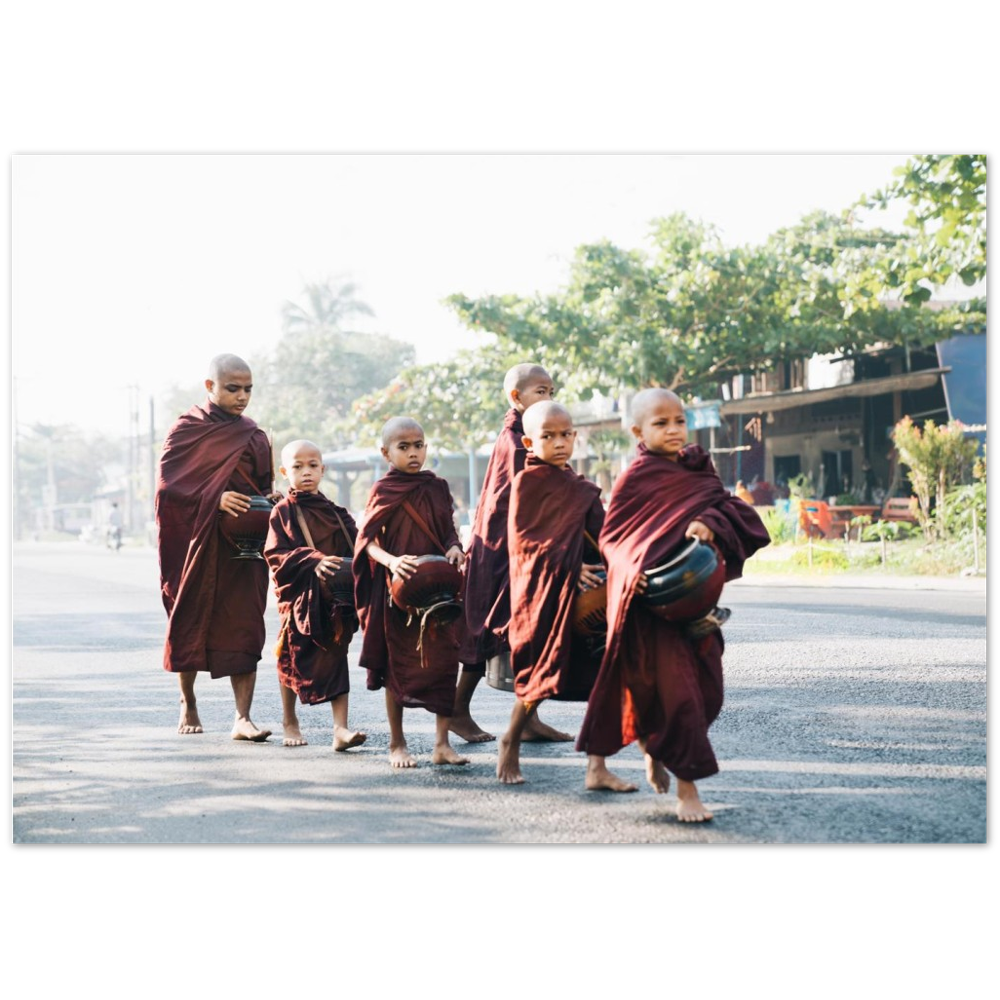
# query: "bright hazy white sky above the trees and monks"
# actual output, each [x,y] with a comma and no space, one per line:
[137,269]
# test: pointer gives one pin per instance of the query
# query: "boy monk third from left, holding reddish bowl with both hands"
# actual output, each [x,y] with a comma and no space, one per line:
[389,541]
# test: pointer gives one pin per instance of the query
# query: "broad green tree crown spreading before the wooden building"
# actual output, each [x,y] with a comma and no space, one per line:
[692,312]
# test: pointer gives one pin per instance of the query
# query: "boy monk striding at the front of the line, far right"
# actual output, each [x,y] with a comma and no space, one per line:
[656,684]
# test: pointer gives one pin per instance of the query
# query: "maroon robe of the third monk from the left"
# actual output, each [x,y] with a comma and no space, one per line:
[416,678]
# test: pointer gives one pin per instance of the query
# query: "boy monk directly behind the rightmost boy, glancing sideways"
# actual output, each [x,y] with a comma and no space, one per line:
[551,508]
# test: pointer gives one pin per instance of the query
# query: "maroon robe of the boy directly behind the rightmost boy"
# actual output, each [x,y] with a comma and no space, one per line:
[550,508]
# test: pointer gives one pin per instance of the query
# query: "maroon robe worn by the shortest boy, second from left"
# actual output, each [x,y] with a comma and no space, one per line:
[315,636]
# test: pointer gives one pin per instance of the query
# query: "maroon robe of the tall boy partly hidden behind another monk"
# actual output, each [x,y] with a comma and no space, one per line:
[487,566]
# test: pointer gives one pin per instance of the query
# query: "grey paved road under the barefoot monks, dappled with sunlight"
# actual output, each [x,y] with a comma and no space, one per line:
[851,715]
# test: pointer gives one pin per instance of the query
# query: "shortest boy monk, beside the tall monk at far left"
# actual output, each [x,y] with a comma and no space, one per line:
[307,540]
